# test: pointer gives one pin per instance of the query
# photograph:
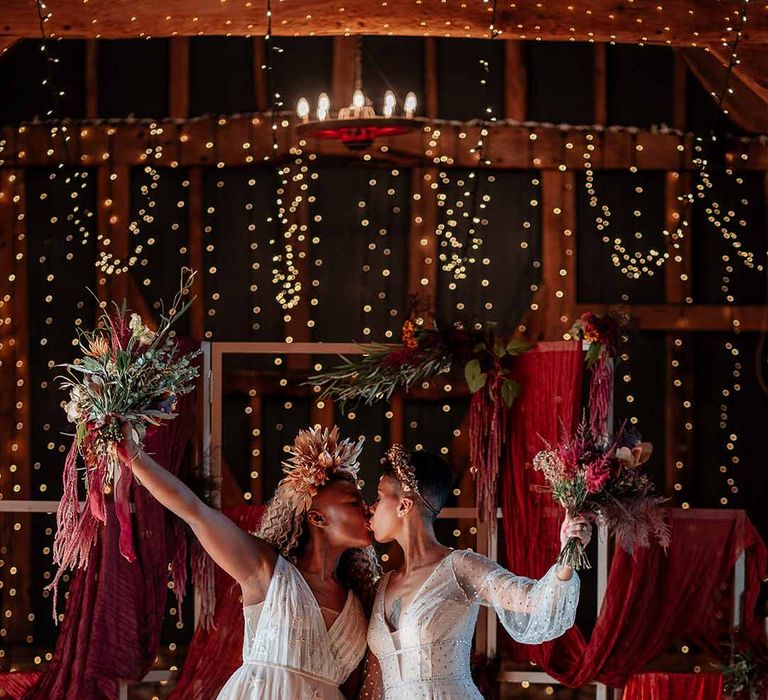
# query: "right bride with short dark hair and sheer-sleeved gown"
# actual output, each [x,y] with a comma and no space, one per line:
[424,614]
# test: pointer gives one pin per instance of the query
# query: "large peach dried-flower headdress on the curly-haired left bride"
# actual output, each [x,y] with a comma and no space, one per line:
[316,455]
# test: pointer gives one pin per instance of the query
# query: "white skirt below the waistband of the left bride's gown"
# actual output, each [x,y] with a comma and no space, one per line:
[263,682]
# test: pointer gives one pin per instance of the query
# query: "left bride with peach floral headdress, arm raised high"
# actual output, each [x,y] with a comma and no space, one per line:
[305,627]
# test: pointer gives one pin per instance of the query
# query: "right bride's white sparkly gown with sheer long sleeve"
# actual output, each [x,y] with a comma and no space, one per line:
[427,657]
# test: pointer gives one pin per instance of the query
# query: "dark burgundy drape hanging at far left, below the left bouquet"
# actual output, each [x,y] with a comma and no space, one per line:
[114,610]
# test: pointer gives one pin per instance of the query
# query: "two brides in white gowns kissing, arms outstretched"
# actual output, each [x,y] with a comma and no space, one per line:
[314,598]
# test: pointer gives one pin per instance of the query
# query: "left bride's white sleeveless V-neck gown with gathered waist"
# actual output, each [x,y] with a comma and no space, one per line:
[288,653]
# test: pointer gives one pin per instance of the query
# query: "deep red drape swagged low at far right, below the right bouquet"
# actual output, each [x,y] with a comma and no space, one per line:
[653,599]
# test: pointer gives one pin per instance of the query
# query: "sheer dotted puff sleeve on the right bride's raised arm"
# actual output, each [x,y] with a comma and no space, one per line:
[532,611]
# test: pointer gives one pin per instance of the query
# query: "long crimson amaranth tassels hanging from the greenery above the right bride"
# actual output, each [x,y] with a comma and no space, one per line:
[487,435]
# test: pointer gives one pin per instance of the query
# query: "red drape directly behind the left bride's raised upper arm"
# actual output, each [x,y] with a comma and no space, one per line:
[214,654]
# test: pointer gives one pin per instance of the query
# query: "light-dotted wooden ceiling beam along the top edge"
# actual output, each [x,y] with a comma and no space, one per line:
[694,23]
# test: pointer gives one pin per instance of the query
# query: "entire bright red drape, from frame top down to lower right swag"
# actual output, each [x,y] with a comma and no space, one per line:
[652,599]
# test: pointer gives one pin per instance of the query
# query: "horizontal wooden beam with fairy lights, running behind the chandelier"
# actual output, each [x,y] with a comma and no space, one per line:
[512,146]
